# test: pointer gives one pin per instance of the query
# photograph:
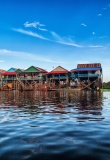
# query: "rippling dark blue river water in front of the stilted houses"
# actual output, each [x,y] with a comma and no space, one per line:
[54,125]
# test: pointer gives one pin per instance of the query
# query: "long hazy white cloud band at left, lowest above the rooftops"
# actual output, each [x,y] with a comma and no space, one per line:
[27,56]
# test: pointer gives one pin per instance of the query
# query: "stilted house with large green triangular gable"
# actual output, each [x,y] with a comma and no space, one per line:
[32,78]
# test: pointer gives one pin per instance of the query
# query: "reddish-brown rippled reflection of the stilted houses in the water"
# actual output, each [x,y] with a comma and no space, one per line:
[82,104]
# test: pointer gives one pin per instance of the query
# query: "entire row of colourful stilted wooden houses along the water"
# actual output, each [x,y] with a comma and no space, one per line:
[85,76]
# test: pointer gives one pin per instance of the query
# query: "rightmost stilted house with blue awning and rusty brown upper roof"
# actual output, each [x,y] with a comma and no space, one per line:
[87,76]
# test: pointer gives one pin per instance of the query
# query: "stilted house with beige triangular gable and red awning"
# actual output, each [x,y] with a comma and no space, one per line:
[58,77]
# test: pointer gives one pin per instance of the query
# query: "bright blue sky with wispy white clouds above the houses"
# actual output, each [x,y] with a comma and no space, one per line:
[48,33]
